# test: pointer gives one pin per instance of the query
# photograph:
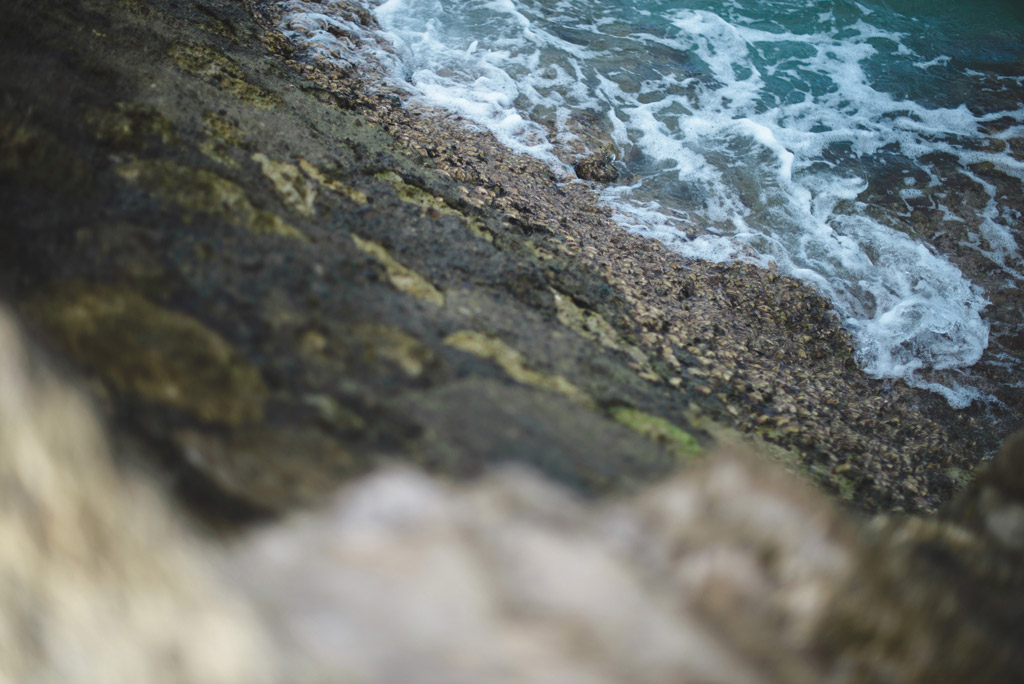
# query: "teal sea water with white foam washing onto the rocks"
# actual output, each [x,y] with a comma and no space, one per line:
[850,145]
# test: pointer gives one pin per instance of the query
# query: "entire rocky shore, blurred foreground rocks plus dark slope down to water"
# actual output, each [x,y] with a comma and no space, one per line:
[276,276]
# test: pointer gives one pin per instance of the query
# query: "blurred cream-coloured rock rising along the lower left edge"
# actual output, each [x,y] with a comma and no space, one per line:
[100,582]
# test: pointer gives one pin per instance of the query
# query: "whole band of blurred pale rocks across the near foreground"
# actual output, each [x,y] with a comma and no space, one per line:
[733,572]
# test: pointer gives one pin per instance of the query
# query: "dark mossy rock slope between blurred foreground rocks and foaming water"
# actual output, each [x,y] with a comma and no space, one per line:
[243,246]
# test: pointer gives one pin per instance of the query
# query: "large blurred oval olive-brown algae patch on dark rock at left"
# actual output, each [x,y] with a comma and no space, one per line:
[154,354]
